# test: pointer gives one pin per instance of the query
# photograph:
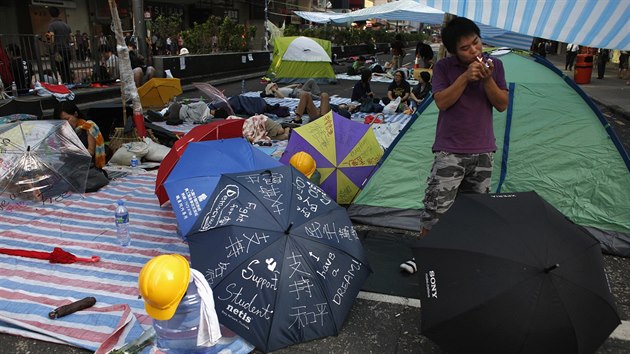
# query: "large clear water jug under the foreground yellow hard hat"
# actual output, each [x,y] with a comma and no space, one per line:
[179,334]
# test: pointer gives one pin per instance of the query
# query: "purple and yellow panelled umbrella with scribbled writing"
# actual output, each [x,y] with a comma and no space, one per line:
[346,153]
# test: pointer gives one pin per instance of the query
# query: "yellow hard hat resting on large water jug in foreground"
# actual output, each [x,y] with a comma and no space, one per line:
[163,281]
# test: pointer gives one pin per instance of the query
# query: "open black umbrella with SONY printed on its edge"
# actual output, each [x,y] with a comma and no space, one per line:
[508,273]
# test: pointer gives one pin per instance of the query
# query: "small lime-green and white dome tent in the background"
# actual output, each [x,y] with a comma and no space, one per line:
[297,59]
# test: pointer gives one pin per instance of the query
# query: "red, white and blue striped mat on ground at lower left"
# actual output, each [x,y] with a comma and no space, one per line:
[31,288]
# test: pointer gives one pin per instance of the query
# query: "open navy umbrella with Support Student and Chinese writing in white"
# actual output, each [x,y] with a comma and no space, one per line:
[283,259]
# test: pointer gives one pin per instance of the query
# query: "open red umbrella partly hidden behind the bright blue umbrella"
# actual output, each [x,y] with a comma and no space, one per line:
[223,129]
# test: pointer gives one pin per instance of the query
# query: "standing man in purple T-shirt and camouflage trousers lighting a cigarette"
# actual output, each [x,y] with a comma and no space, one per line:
[466,88]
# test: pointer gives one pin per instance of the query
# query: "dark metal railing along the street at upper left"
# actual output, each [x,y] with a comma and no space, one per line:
[86,60]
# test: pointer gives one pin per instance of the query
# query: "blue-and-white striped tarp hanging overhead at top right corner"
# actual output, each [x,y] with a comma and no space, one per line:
[593,23]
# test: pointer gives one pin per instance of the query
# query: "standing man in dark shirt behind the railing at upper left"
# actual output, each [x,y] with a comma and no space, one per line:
[62,35]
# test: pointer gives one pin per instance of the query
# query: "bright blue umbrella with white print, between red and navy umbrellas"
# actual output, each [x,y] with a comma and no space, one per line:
[198,170]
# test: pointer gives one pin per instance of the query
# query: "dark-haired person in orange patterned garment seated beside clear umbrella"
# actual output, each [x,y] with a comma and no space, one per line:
[87,130]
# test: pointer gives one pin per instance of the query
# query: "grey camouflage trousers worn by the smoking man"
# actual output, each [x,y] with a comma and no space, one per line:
[451,174]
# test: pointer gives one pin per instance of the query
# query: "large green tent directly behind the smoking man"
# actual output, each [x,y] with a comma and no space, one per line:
[552,139]
